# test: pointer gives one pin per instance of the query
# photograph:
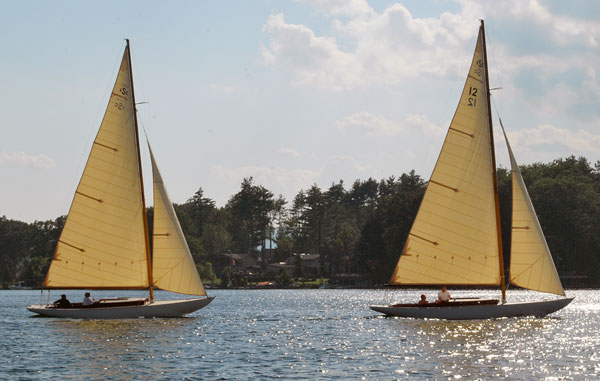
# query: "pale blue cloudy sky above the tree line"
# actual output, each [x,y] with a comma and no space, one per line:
[292,93]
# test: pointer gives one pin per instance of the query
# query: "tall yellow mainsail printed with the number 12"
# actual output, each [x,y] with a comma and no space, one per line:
[454,238]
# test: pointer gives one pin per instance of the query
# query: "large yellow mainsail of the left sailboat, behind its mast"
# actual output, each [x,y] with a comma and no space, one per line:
[103,243]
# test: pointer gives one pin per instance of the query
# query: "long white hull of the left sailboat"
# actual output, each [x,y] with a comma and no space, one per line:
[157,309]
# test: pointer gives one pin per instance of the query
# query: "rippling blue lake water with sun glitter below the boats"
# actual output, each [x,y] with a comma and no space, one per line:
[300,334]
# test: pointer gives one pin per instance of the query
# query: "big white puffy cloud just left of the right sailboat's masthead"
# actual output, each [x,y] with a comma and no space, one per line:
[387,47]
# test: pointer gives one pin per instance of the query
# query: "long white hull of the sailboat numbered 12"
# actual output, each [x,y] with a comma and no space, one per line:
[487,311]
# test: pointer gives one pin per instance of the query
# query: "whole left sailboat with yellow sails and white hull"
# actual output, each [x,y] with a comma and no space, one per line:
[105,243]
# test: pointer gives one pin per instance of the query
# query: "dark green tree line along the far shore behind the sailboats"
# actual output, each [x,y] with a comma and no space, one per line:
[356,229]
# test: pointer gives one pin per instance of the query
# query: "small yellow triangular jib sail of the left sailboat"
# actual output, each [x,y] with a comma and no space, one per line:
[173,268]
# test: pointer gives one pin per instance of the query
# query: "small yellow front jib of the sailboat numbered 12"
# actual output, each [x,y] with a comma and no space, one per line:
[531,264]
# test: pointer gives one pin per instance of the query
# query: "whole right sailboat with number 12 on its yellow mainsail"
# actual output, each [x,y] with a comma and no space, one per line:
[456,239]
